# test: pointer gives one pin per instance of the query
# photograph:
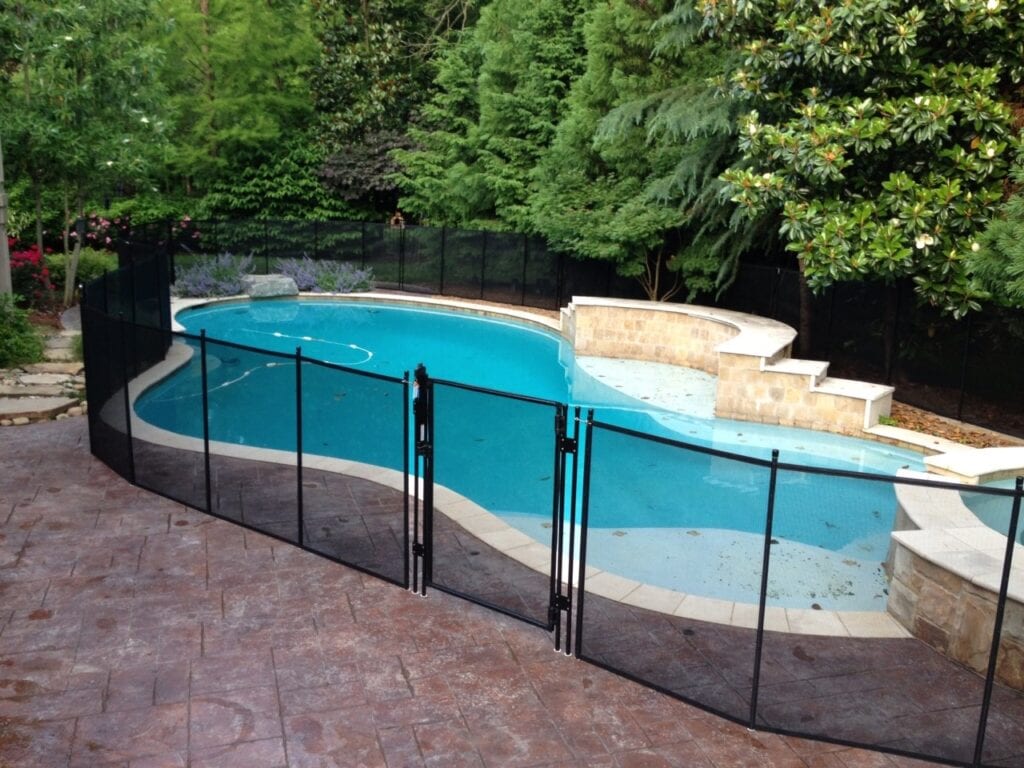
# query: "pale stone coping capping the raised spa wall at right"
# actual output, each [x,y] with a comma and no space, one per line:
[951,537]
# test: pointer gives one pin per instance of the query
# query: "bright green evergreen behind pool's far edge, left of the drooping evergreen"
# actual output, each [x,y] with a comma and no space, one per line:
[502,93]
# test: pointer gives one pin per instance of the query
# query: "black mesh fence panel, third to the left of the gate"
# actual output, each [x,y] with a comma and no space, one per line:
[172,462]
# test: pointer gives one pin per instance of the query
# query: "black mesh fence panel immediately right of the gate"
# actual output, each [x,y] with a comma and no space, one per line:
[676,537]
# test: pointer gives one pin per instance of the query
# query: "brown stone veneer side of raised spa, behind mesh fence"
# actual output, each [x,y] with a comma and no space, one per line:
[956,617]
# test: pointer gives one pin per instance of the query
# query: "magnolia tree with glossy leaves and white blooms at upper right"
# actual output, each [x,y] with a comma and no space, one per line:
[880,132]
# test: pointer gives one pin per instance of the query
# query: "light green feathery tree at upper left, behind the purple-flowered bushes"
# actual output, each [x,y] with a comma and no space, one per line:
[238,73]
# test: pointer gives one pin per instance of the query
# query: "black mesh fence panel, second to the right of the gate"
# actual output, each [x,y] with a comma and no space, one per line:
[838,662]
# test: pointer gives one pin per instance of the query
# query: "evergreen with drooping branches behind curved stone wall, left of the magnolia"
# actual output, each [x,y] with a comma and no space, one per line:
[631,176]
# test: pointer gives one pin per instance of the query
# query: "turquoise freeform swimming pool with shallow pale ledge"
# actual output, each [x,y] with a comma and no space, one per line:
[483,440]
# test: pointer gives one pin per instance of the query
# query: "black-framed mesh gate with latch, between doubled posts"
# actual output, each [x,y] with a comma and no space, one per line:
[499,453]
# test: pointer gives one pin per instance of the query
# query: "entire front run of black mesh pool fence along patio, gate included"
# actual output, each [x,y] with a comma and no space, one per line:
[401,510]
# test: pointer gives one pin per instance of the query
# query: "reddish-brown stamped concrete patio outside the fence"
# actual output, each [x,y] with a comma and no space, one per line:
[138,632]
